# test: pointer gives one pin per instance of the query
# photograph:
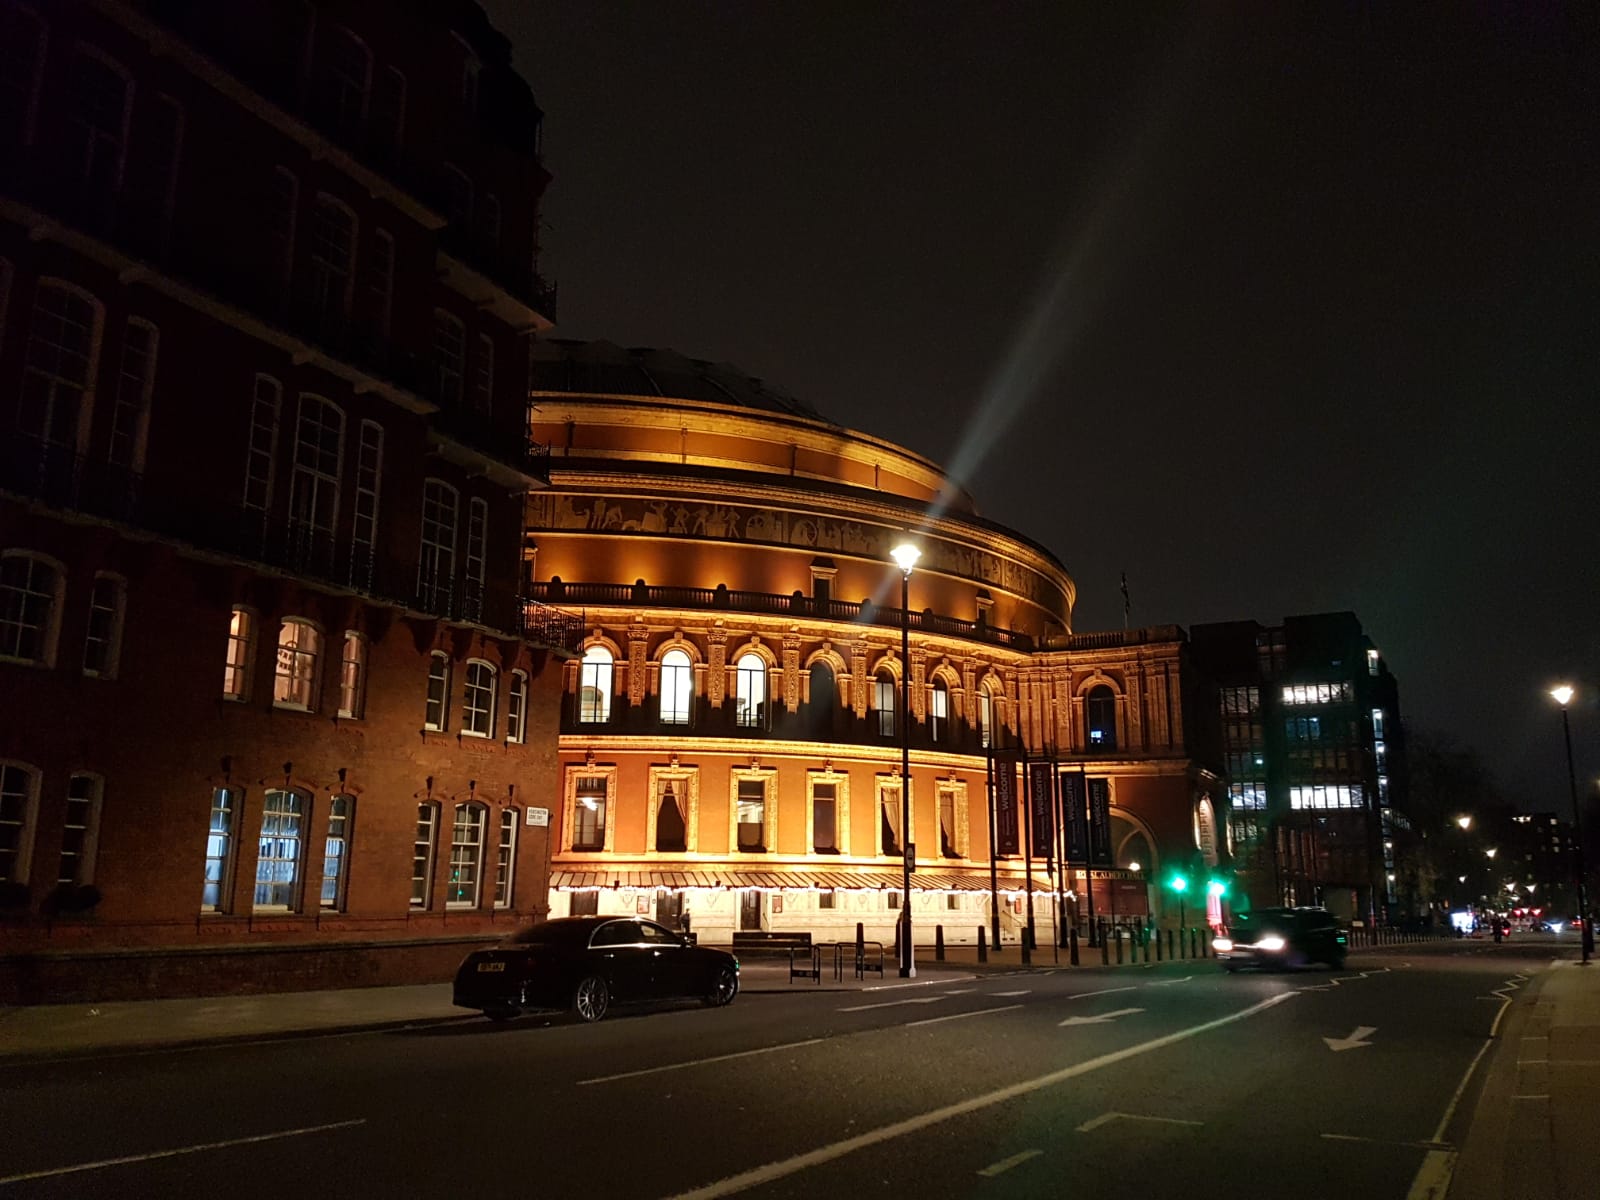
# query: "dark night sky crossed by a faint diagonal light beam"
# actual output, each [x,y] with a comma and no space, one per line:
[1276,308]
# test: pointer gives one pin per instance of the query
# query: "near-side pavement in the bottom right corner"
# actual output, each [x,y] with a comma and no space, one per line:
[1532,1134]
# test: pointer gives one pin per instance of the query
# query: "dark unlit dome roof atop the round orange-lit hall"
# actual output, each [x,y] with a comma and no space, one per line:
[604,369]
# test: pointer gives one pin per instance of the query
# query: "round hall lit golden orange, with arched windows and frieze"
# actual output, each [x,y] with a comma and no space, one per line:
[732,735]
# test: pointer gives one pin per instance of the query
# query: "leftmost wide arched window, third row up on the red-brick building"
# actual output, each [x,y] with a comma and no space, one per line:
[57,382]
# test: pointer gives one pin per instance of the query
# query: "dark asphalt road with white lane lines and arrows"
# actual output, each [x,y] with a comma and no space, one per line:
[1153,1082]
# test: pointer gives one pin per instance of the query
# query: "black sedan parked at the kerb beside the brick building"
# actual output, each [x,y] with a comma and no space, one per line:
[590,964]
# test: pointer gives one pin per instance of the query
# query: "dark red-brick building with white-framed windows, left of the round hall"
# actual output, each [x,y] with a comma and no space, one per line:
[273,708]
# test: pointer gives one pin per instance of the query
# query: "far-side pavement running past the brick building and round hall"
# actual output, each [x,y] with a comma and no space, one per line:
[49,1031]
